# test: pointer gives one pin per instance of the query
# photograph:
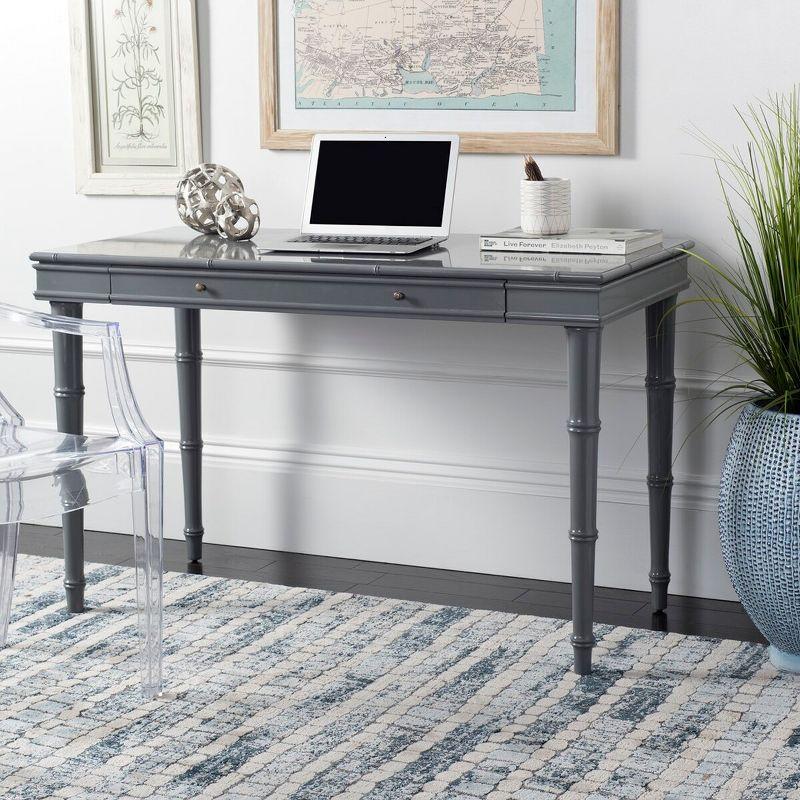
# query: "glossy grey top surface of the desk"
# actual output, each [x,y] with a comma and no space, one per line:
[181,248]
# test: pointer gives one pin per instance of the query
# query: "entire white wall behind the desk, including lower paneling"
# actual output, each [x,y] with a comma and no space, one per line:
[431,443]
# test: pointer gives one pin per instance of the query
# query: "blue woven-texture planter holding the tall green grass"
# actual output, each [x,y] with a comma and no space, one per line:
[759,522]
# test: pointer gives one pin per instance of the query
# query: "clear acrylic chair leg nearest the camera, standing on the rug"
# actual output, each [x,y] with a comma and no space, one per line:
[147,531]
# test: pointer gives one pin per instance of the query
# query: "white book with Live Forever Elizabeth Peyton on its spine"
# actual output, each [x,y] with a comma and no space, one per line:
[601,241]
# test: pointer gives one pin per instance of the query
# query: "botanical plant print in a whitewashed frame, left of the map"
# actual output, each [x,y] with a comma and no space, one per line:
[135,92]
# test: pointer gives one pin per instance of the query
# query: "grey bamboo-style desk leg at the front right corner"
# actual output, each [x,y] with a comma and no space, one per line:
[584,431]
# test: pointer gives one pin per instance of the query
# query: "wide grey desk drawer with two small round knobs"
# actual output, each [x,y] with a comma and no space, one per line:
[310,293]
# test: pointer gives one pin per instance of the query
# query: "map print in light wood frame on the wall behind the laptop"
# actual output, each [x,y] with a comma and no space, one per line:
[509,76]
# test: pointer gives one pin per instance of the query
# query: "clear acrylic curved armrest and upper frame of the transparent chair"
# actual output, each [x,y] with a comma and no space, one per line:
[125,410]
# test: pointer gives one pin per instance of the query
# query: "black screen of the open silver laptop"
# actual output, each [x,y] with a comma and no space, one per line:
[385,183]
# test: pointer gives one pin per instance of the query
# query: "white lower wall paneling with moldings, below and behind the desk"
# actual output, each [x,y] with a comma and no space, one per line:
[321,475]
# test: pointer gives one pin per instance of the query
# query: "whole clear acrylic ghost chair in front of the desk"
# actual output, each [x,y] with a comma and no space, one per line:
[45,473]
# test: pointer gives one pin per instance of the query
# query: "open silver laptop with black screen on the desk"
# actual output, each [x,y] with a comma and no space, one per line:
[376,193]
